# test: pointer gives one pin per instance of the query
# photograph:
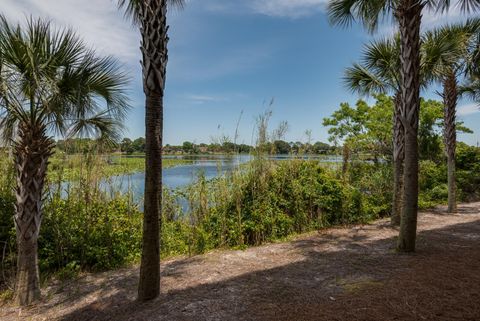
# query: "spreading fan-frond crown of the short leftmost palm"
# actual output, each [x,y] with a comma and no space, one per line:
[48,76]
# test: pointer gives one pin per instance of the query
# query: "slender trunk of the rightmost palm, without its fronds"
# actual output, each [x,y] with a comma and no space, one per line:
[450,96]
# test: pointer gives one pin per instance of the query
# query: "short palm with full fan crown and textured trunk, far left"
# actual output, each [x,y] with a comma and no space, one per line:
[50,83]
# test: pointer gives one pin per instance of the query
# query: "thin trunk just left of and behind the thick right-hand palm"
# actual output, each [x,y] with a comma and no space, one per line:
[398,156]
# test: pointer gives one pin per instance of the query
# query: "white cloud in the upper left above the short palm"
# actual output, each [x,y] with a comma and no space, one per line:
[98,22]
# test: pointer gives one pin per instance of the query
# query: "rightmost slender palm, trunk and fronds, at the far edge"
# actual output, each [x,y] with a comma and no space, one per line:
[449,56]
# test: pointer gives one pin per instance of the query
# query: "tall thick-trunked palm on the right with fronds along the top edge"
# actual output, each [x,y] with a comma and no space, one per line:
[407,14]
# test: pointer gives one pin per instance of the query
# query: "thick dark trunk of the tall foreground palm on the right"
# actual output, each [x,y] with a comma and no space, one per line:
[409,18]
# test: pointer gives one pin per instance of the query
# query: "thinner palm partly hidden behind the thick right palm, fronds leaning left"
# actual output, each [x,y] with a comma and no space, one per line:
[378,73]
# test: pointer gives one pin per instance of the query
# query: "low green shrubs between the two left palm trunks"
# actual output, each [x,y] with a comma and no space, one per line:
[95,233]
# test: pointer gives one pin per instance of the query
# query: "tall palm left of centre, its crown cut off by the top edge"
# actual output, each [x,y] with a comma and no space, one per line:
[151,17]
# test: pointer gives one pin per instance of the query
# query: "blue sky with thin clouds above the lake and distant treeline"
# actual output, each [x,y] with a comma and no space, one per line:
[232,56]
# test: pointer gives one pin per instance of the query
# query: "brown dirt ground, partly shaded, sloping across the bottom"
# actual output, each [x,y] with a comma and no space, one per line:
[336,274]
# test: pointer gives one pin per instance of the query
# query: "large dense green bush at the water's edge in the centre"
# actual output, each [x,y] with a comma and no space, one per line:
[263,201]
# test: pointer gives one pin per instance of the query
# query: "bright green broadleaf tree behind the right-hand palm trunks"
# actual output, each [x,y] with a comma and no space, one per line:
[368,129]
